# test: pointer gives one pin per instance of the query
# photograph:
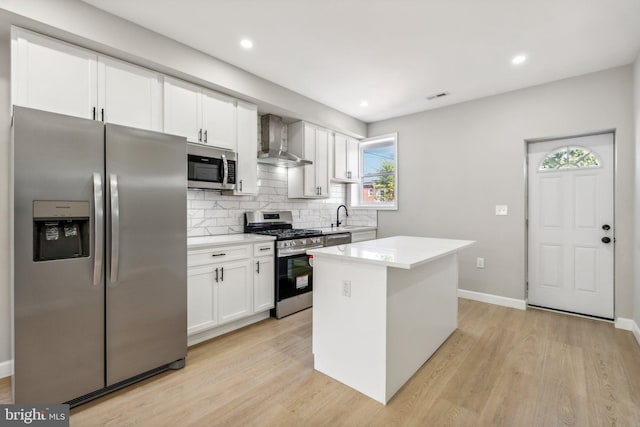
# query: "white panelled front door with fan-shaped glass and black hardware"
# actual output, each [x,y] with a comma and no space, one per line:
[571,230]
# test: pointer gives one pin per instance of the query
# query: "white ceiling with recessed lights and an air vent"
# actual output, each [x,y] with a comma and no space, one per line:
[394,53]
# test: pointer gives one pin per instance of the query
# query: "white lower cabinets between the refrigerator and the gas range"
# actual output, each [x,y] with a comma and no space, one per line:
[228,286]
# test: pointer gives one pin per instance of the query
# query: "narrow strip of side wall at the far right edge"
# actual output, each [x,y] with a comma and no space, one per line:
[636,115]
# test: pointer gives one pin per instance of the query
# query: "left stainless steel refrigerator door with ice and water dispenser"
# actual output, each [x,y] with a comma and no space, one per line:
[58,308]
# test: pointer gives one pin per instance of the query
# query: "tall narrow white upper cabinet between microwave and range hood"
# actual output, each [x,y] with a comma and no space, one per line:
[247,137]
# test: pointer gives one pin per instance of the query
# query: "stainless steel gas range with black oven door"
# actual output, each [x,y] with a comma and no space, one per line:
[293,272]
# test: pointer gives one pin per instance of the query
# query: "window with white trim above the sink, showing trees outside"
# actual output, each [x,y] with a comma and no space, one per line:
[378,188]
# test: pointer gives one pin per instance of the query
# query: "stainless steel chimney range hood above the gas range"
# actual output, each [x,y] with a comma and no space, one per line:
[274,148]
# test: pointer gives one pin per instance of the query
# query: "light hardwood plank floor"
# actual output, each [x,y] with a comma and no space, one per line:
[501,367]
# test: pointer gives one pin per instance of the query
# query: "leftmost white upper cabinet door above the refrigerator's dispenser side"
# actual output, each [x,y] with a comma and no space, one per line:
[53,76]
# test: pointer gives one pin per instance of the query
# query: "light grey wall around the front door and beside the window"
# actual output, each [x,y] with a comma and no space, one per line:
[457,163]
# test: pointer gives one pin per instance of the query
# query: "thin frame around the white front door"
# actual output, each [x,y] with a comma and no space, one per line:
[526,208]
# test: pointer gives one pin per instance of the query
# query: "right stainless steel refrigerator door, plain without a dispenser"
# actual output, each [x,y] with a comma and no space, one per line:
[146,251]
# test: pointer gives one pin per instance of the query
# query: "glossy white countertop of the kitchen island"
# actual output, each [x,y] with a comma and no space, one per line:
[399,251]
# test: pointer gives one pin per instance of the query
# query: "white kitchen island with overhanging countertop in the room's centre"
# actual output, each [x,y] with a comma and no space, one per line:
[381,308]
